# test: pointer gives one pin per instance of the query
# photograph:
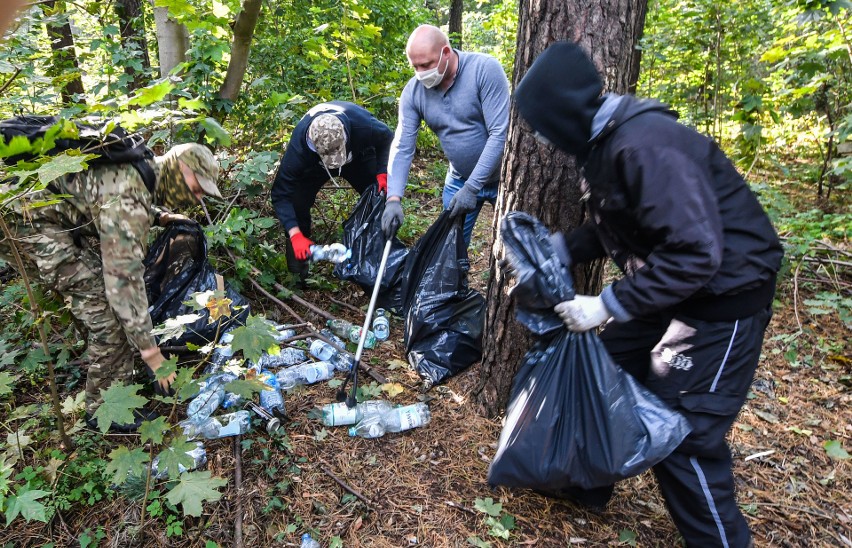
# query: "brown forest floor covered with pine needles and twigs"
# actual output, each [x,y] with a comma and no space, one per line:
[427,487]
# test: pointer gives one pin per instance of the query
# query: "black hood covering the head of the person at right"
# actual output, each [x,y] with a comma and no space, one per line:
[559,96]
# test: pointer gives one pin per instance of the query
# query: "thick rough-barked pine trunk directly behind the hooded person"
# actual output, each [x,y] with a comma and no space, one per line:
[541,180]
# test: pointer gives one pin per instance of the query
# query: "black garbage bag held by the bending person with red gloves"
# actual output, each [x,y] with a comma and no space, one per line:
[362,233]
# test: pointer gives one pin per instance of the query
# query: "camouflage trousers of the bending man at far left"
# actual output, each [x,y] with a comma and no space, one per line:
[52,259]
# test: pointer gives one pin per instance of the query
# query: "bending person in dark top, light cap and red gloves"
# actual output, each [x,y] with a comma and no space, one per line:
[333,139]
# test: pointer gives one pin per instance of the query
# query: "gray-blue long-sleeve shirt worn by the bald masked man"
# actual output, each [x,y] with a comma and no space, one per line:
[470,119]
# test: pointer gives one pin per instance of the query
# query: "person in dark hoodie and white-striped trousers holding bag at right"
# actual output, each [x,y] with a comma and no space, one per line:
[699,257]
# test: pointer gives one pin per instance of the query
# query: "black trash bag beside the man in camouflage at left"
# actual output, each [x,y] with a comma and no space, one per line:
[176,267]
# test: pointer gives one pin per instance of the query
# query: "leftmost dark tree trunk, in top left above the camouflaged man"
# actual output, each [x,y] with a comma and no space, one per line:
[64,69]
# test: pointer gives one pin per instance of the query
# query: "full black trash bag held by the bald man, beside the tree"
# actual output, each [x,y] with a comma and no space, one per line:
[443,316]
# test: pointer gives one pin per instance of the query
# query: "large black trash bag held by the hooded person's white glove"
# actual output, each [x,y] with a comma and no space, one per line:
[574,419]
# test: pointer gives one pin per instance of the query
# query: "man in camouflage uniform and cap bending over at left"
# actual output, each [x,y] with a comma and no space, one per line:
[89,247]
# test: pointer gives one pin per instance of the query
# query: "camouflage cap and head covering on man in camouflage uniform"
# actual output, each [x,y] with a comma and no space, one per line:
[172,190]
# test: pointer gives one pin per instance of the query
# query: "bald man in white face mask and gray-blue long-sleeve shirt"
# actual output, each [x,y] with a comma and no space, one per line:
[464,99]
